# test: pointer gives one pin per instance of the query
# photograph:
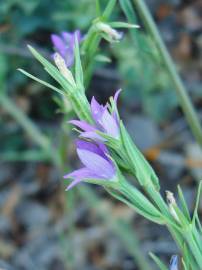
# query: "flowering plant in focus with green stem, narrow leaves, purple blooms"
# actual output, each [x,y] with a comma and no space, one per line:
[107,151]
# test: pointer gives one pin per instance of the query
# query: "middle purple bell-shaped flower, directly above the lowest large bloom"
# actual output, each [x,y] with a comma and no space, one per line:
[106,120]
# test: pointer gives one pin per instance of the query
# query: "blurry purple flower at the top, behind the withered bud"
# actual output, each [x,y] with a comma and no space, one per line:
[64,44]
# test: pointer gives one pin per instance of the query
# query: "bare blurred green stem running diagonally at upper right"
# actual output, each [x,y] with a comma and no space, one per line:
[184,99]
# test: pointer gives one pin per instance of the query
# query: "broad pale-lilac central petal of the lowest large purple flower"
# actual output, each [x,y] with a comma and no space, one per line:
[97,164]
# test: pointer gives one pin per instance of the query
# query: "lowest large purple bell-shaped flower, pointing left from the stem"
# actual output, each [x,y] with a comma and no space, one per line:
[97,164]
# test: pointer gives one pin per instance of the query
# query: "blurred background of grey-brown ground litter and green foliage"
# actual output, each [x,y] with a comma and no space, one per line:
[42,226]
